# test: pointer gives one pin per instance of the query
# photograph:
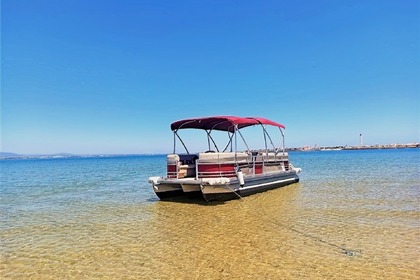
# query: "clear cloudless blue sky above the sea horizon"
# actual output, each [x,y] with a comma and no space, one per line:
[104,76]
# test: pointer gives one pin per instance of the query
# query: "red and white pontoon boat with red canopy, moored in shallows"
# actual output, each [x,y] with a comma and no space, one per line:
[225,174]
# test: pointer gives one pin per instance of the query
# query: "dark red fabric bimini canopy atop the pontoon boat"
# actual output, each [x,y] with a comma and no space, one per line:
[224,123]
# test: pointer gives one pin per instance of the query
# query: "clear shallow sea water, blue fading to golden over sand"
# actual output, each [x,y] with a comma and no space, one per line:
[353,215]
